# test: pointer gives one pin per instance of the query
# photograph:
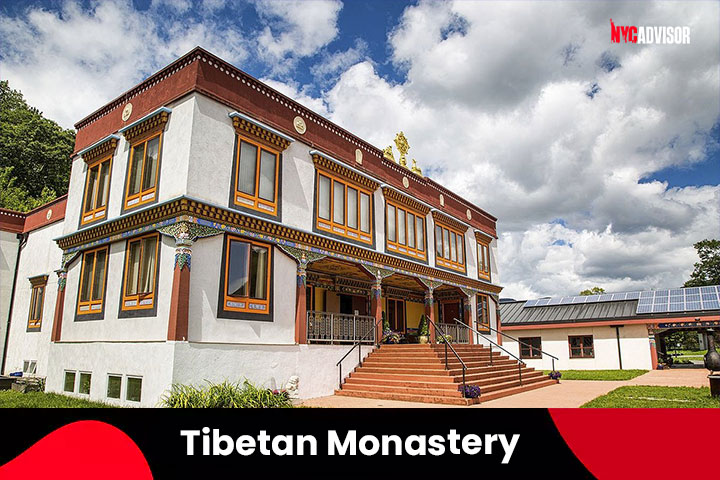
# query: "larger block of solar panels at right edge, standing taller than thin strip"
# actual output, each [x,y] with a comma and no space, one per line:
[679,300]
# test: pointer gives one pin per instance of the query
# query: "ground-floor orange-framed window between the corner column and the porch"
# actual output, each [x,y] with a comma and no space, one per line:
[247,276]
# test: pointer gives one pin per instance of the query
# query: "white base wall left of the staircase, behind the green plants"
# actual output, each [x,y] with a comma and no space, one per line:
[267,365]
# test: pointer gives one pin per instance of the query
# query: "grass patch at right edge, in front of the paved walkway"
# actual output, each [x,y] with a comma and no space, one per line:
[655,397]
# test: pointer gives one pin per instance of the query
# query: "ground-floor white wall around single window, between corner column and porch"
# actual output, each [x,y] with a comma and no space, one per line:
[204,326]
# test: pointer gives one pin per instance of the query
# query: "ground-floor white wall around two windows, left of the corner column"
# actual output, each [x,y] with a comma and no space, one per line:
[111,327]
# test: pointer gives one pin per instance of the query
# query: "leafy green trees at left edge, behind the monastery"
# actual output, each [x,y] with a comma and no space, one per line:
[34,153]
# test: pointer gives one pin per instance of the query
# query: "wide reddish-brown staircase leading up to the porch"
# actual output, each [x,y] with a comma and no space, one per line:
[416,373]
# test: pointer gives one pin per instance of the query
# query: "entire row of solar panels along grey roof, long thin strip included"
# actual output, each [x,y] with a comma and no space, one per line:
[656,301]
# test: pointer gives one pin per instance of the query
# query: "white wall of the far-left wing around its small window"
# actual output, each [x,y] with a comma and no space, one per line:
[40,256]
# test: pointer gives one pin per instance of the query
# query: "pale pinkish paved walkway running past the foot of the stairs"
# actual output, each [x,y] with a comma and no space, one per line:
[567,394]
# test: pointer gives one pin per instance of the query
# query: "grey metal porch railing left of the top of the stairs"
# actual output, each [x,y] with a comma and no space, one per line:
[326,327]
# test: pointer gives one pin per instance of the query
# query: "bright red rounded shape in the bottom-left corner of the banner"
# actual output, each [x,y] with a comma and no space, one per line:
[81,450]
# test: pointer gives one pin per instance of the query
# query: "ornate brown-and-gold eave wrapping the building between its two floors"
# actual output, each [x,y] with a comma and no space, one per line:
[191,210]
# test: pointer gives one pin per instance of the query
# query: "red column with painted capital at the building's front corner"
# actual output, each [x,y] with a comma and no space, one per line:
[185,234]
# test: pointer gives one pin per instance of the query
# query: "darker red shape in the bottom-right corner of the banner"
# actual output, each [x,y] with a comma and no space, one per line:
[641,443]
